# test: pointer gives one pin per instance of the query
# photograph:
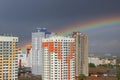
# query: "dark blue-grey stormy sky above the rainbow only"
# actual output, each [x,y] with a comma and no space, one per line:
[21,17]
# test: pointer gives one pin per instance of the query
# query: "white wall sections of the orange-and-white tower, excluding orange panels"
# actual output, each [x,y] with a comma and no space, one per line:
[52,68]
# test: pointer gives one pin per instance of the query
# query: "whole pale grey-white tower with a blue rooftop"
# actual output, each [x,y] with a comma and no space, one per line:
[37,53]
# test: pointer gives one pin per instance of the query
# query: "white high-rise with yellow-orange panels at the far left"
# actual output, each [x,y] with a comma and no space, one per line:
[8,58]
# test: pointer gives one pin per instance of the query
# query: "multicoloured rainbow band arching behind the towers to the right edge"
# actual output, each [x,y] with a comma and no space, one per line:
[93,25]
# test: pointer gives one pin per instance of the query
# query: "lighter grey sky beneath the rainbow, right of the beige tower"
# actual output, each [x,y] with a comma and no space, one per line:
[106,41]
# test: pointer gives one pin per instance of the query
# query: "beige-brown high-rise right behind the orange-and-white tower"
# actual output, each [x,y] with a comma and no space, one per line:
[81,53]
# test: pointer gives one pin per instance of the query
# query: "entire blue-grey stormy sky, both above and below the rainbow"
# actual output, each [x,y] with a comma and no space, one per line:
[22,17]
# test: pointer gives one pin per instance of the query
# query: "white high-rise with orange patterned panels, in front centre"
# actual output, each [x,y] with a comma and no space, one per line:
[59,58]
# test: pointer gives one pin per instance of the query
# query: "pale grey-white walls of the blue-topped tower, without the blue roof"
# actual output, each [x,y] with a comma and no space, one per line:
[37,64]
